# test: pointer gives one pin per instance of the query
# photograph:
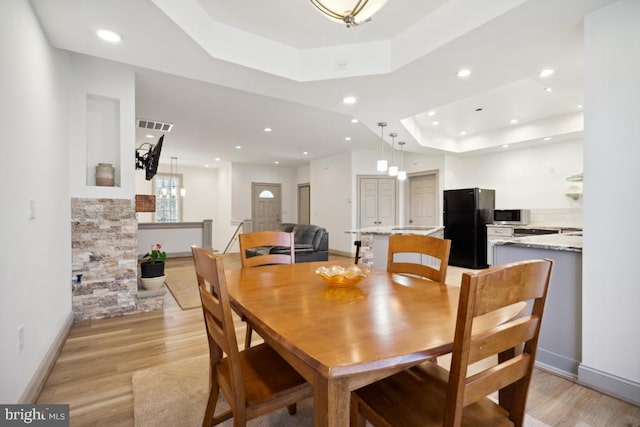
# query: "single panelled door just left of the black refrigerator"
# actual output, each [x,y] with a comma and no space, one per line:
[423,200]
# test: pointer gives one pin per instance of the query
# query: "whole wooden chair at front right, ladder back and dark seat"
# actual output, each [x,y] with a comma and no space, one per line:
[429,395]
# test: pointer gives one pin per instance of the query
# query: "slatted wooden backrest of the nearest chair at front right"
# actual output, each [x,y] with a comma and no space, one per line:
[515,342]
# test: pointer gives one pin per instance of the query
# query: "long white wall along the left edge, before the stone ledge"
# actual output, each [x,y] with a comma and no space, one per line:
[35,255]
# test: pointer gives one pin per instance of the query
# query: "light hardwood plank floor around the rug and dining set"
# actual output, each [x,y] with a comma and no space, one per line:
[93,372]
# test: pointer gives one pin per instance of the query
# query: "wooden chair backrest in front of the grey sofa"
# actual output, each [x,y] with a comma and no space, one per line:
[266,239]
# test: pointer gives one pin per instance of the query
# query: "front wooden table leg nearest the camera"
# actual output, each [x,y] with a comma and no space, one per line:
[331,402]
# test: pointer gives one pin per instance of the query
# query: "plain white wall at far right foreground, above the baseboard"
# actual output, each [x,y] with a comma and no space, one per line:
[611,330]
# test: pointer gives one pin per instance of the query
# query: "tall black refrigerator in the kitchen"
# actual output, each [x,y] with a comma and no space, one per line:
[466,215]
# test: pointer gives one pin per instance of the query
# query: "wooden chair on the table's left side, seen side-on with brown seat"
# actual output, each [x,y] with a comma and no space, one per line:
[254,381]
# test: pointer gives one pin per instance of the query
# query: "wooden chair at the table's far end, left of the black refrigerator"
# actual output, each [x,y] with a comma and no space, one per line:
[431,247]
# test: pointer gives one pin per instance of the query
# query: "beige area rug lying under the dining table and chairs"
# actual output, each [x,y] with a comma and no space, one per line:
[175,394]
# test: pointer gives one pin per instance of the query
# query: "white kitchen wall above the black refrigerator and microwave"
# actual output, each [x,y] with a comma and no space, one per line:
[528,178]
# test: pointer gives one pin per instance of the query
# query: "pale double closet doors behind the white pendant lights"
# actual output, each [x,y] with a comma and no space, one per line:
[377,202]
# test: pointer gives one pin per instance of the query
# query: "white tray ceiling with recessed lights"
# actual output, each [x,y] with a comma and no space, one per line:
[222,71]
